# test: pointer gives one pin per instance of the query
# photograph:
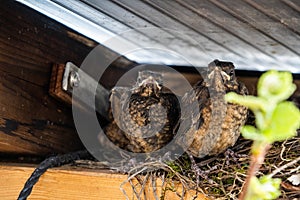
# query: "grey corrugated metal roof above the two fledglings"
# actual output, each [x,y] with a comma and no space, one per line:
[254,34]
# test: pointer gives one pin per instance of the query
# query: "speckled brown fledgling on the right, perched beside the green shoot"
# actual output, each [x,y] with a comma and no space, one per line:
[213,124]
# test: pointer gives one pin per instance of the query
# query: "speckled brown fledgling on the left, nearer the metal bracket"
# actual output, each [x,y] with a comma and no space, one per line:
[144,116]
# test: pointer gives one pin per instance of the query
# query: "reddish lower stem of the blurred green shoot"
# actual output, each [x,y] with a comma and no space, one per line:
[255,164]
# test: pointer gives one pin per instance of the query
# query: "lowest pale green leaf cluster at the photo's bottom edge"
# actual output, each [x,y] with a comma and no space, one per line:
[264,188]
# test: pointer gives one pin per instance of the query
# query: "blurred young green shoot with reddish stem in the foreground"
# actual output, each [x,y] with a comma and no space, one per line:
[276,120]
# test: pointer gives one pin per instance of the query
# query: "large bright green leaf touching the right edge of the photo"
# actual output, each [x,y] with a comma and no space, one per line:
[284,122]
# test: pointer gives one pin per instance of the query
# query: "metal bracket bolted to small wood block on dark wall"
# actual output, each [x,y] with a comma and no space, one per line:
[72,85]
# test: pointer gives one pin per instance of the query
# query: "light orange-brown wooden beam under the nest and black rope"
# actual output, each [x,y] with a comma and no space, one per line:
[72,183]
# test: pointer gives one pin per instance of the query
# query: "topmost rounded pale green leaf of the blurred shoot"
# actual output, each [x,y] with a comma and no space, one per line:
[275,86]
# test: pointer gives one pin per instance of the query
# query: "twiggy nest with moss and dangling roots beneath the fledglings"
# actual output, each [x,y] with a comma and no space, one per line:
[218,177]
